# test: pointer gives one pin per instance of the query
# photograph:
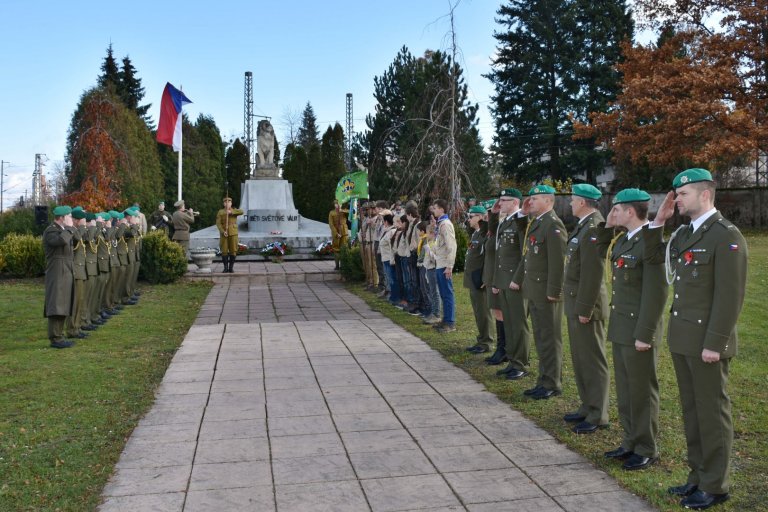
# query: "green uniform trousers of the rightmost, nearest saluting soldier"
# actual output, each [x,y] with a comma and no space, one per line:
[707,420]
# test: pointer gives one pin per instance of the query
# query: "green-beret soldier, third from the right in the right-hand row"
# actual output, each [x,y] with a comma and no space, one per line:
[586,310]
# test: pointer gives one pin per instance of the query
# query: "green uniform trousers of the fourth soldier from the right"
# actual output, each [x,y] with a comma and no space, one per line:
[546,320]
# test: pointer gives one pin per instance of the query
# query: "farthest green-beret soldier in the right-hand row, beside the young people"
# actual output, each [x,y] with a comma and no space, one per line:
[473,279]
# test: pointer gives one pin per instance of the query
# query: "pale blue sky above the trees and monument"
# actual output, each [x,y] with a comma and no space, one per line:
[299,51]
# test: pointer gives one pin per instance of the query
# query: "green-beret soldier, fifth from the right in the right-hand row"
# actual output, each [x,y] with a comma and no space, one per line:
[509,251]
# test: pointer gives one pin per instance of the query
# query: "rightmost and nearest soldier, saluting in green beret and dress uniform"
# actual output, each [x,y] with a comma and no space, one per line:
[708,266]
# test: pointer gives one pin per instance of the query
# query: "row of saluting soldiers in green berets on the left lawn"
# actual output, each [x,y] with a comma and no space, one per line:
[92,266]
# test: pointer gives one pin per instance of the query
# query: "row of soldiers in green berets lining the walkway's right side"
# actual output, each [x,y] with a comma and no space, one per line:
[523,264]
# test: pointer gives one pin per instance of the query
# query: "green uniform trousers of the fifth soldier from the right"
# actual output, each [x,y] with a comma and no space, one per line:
[517,334]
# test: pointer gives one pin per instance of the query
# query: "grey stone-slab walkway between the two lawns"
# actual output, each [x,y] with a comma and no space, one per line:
[339,410]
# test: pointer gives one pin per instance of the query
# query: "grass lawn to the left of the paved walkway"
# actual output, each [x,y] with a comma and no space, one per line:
[65,415]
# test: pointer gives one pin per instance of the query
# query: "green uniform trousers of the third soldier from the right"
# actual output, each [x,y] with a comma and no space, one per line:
[590,367]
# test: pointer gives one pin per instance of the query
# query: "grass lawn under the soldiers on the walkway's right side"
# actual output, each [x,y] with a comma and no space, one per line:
[748,390]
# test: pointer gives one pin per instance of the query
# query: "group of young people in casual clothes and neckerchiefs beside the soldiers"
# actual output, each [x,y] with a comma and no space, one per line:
[410,261]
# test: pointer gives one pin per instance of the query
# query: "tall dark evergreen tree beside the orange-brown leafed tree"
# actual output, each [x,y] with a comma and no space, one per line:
[555,58]
